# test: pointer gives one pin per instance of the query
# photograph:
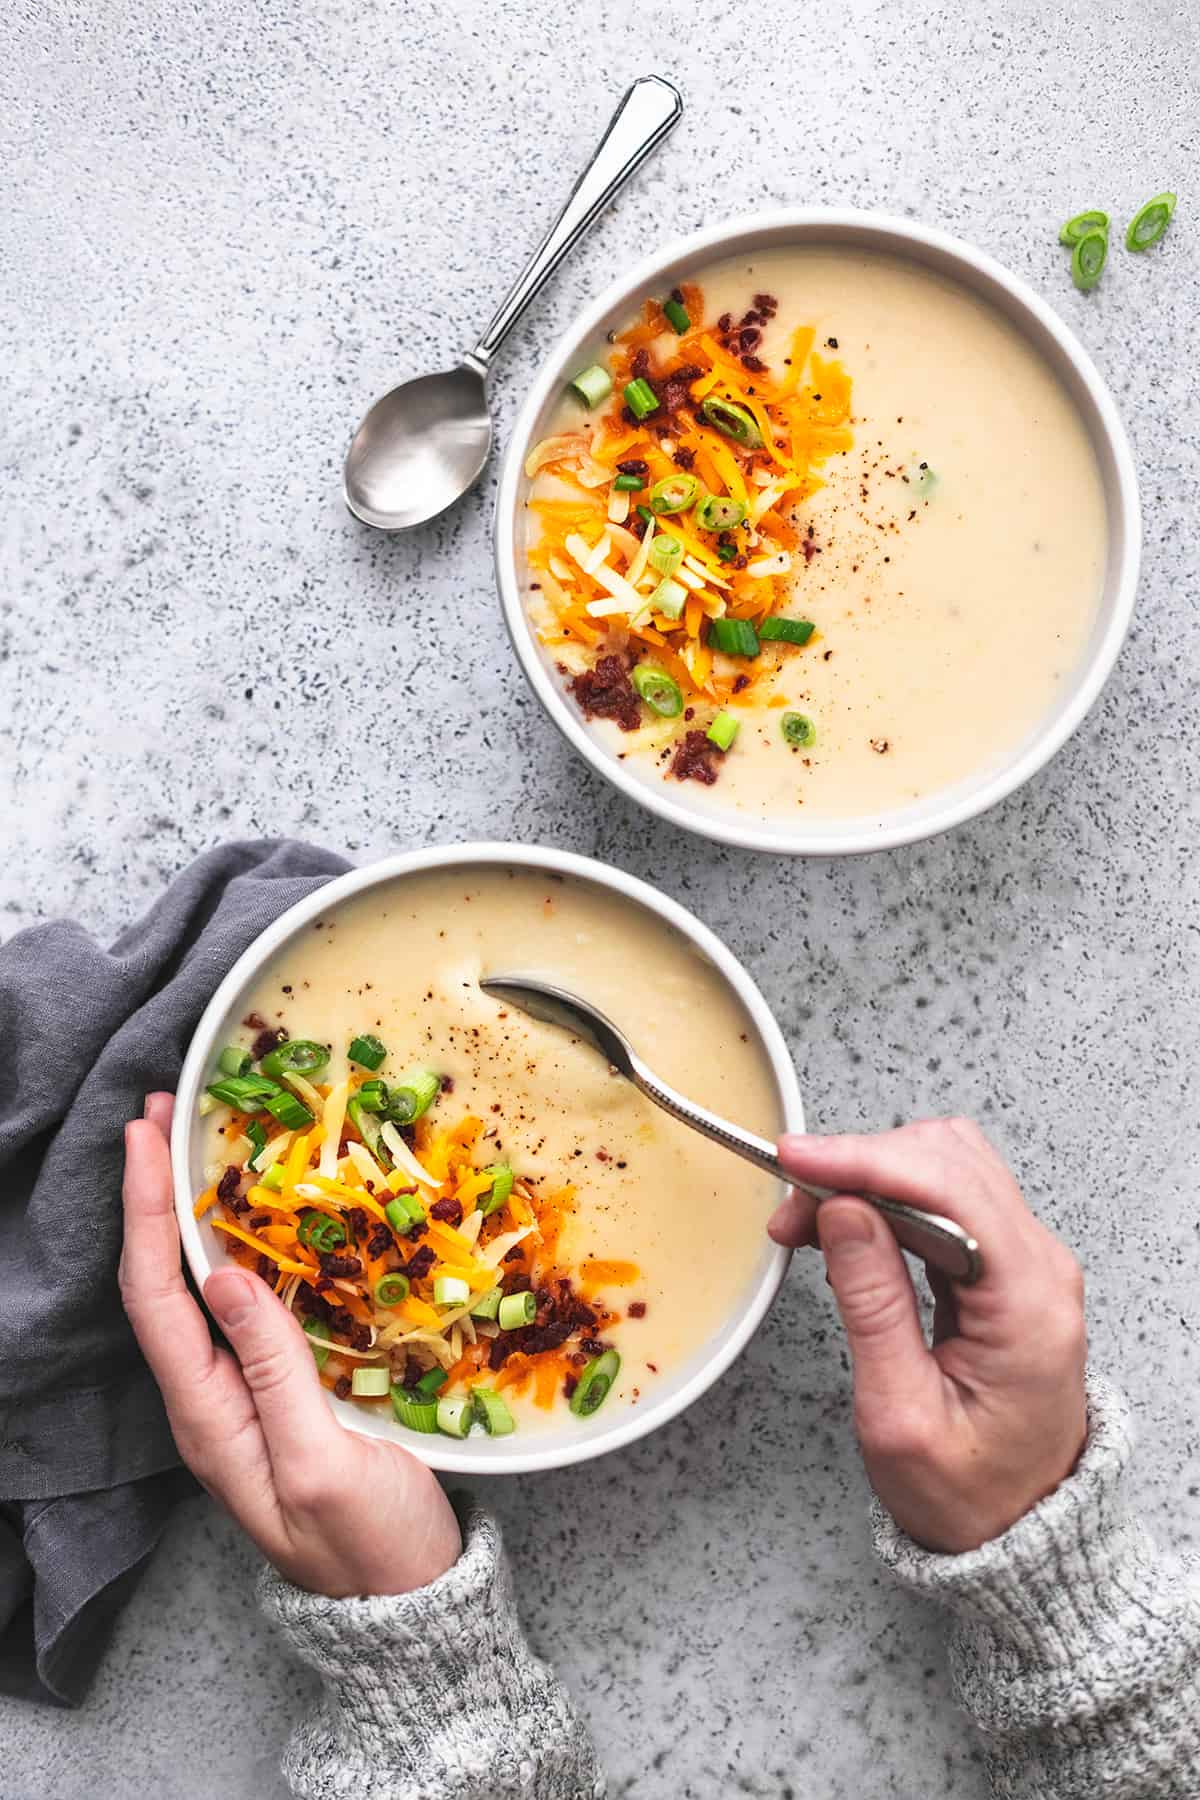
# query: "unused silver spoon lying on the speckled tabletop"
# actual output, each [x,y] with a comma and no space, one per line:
[425,444]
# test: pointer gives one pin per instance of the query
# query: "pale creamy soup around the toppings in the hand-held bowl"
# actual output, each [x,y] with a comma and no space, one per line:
[661,1232]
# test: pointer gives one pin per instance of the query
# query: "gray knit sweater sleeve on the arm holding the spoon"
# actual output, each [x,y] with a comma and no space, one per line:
[1075,1644]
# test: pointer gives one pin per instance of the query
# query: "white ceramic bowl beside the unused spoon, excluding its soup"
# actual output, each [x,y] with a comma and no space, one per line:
[949,256]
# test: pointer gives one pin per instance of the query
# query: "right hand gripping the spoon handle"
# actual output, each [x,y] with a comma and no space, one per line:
[965,1437]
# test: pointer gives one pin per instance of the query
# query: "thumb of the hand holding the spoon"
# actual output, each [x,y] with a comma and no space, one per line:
[877,1302]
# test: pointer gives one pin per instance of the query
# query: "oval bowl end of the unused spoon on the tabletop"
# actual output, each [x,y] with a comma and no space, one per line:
[420,449]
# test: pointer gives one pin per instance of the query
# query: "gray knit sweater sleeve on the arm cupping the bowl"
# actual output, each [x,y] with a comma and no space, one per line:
[433,1695]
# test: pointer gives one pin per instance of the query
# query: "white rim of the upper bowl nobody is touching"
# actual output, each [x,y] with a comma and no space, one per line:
[879,231]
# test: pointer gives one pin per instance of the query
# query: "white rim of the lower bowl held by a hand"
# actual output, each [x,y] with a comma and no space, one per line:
[443,1453]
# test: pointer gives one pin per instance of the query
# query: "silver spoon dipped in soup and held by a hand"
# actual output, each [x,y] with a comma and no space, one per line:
[938,1241]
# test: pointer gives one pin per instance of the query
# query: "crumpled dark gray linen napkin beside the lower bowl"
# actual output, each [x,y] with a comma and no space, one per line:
[87,1466]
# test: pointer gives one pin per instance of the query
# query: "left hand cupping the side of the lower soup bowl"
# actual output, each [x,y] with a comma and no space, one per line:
[336,1513]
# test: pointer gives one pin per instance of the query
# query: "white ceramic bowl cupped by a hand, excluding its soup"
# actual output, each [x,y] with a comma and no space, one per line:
[575,1441]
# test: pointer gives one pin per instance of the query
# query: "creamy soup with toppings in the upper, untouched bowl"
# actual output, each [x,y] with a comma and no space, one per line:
[819,537]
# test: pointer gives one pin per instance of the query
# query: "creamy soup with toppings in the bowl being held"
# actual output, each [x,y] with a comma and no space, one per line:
[479,1225]
